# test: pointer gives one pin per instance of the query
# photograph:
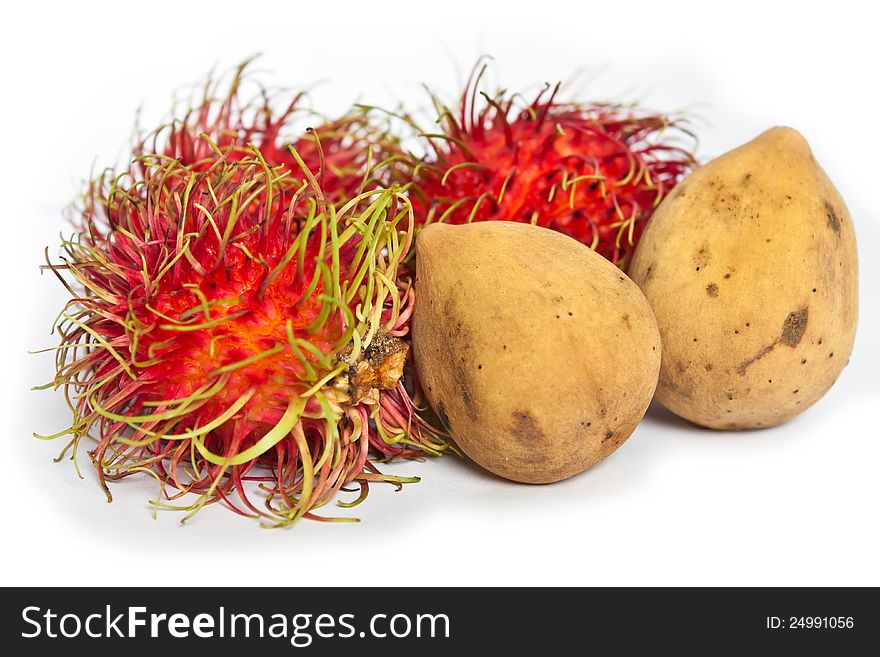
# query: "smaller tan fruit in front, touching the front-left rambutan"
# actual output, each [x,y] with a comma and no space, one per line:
[539,355]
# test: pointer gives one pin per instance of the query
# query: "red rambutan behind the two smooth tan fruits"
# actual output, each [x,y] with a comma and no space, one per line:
[594,172]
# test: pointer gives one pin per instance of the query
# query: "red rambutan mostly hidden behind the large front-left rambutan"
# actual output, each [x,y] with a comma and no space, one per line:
[228,117]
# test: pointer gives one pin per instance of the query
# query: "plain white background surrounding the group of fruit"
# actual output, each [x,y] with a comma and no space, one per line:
[675,505]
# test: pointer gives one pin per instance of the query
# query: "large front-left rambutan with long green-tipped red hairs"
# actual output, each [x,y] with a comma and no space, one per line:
[237,331]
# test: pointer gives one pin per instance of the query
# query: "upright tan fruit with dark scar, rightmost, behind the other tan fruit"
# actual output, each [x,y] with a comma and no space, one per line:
[750,267]
